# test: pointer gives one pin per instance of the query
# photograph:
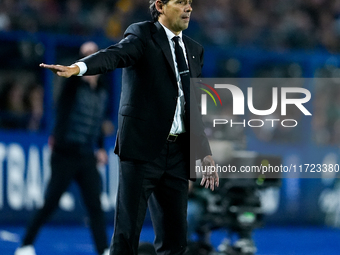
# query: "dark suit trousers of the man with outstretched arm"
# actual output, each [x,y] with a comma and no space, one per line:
[163,185]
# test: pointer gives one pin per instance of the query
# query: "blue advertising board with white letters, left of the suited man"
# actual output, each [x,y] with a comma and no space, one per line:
[24,174]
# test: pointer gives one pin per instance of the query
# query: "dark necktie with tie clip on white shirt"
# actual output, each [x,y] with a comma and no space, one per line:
[183,71]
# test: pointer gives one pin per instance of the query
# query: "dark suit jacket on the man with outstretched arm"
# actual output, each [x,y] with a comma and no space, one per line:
[149,89]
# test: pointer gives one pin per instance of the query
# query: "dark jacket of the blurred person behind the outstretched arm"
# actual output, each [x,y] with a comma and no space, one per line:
[79,116]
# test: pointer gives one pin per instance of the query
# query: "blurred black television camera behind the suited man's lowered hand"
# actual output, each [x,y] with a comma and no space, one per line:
[235,206]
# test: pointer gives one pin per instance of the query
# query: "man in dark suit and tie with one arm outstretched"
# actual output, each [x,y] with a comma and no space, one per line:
[153,129]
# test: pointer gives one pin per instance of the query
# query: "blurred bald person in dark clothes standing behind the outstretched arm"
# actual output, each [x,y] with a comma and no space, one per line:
[77,144]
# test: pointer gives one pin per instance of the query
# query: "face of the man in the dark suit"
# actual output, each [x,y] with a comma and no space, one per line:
[175,15]
